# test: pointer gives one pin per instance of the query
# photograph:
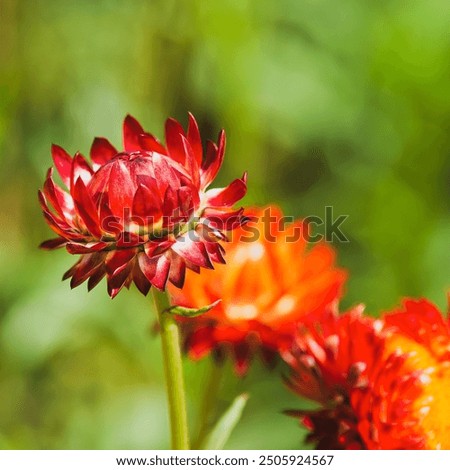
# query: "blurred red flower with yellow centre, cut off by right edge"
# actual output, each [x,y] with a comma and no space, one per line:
[382,384]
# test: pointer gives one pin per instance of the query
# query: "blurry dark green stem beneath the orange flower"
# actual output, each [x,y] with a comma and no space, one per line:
[209,402]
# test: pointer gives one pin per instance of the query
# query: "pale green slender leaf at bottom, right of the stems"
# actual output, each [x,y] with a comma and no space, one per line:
[221,432]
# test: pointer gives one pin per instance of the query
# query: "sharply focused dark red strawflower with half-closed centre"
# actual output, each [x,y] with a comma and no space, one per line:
[143,214]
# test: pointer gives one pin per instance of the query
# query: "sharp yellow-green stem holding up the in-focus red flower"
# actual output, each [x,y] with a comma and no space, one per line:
[173,369]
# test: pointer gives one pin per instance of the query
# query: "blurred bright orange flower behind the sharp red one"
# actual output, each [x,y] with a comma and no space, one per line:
[272,280]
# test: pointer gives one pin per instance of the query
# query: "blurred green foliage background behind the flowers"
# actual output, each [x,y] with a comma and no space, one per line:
[325,103]
